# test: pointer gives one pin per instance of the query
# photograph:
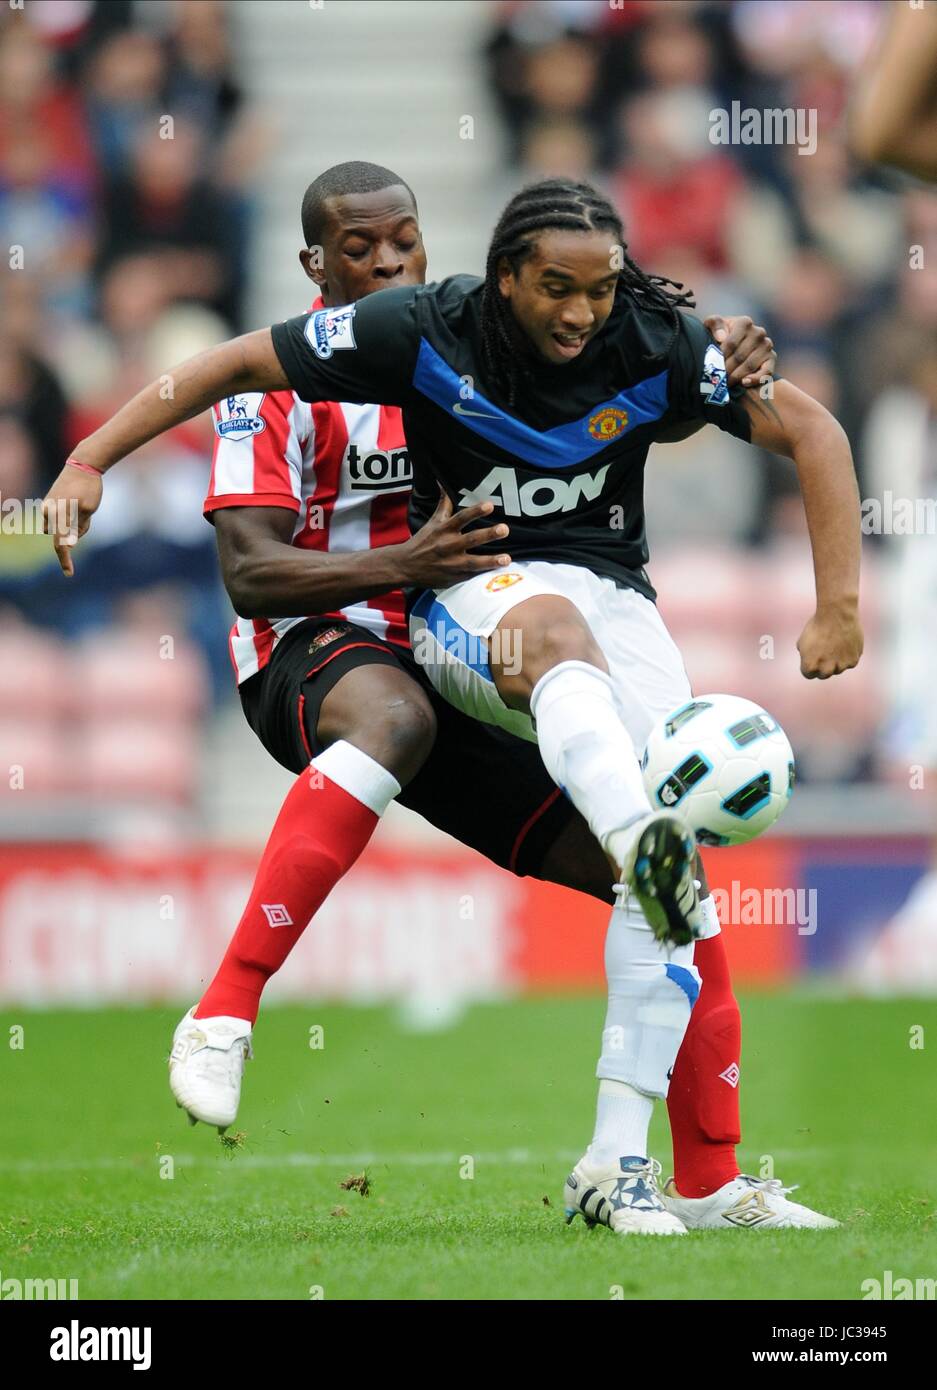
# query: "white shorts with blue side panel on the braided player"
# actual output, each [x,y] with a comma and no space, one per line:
[451,632]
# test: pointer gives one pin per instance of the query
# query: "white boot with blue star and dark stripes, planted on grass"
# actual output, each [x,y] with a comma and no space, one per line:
[624,1197]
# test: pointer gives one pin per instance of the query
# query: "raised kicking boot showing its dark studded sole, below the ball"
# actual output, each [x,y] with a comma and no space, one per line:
[658,867]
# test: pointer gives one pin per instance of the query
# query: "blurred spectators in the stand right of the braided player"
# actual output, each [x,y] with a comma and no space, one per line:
[839,261]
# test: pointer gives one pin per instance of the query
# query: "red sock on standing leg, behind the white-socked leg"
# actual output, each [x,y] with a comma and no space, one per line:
[703,1102]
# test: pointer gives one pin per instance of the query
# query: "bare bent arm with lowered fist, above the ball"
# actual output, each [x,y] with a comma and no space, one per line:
[793,425]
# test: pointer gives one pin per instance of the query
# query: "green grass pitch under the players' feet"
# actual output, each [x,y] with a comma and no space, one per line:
[833,1092]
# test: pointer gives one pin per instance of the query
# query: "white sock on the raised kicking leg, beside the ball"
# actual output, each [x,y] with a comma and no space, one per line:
[586,747]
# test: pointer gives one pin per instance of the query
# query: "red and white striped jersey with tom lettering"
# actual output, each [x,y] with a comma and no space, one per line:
[343,469]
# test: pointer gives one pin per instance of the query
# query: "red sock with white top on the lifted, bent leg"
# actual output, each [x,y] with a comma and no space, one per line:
[320,832]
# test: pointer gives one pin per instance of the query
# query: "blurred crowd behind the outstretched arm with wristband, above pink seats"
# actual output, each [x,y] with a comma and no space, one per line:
[127,152]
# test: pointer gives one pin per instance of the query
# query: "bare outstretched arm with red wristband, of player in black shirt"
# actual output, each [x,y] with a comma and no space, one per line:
[248,363]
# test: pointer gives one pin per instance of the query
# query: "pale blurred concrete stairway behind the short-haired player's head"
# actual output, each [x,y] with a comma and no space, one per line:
[389,81]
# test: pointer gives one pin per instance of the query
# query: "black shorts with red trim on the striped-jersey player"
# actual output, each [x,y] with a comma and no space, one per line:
[479,785]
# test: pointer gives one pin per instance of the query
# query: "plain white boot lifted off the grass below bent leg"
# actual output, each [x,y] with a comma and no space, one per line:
[206,1065]
